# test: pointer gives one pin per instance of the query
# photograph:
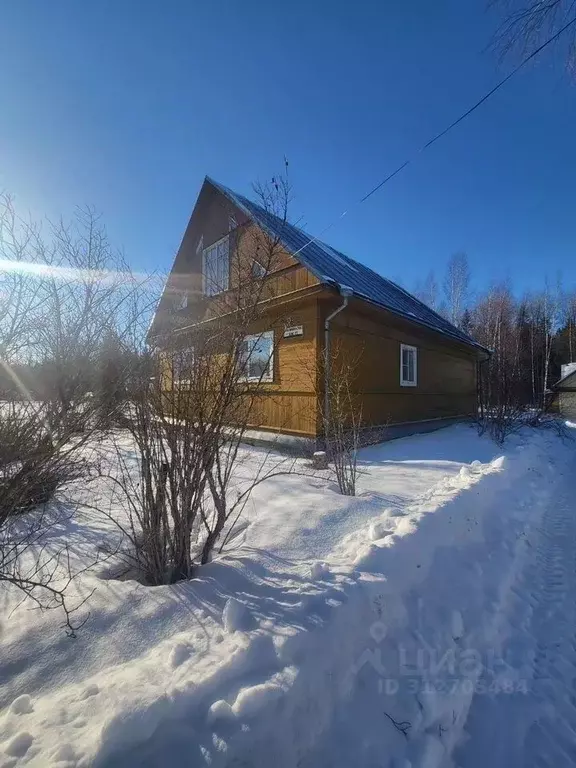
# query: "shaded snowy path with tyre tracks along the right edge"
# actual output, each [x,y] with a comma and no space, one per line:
[535,723]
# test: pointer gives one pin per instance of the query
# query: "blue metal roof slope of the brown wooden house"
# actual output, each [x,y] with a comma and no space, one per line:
[333,267]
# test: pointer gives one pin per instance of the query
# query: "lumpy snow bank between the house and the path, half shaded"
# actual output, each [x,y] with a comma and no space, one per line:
[275,657]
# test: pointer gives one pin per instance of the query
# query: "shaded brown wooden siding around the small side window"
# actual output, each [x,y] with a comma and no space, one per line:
[371,339]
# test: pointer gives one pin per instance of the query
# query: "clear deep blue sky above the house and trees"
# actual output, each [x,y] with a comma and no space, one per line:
[126,105]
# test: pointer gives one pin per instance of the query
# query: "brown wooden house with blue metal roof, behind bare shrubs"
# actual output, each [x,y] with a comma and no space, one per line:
[413,368]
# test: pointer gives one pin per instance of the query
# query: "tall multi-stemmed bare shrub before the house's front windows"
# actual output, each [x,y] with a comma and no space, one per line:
[197,389]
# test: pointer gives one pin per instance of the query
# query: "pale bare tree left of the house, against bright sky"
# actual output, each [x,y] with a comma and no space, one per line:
[86,291]
